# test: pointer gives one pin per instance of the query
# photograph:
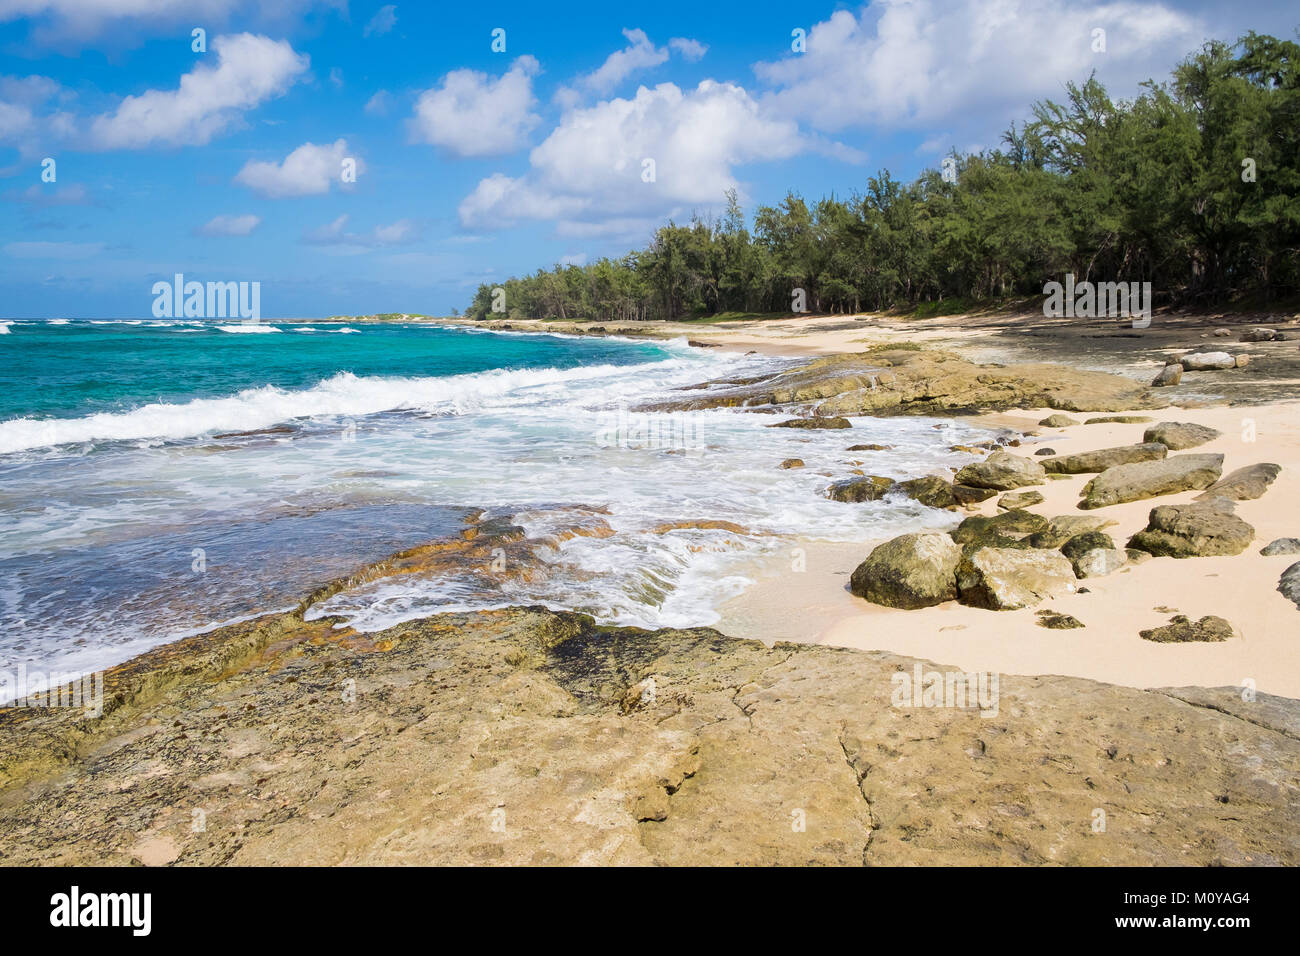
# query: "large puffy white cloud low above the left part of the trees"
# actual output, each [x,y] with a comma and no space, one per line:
[588,175]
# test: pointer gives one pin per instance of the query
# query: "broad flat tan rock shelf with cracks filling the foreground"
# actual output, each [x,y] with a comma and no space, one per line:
[522,710]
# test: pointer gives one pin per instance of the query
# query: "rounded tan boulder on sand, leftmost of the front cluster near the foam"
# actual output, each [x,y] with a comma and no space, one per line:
[909,572]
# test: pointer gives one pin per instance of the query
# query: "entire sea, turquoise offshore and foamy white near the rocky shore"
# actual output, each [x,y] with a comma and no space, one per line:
[162,478]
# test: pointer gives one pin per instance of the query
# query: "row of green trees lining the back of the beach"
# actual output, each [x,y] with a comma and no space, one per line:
[1193,187]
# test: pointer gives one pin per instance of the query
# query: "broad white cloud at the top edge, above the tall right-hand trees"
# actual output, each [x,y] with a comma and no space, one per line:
[924,62]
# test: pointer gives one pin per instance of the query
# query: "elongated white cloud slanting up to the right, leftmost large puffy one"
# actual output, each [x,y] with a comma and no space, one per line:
[250,71]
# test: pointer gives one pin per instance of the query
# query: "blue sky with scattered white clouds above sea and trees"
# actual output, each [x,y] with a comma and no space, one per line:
[358,158]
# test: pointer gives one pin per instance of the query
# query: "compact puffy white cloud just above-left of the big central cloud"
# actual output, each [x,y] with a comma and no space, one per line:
[474,115]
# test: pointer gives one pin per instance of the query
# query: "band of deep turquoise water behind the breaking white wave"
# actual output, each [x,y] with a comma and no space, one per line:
[84,367]
